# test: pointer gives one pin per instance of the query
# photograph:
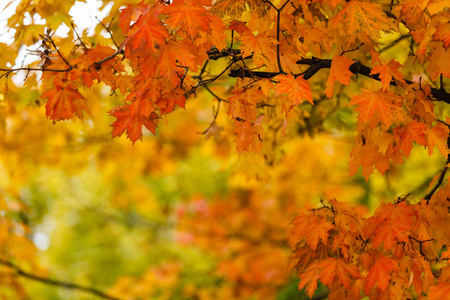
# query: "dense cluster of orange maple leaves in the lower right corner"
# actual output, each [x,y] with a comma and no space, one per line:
[397,253]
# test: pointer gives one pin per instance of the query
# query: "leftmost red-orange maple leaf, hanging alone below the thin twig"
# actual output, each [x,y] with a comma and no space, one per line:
[64,102]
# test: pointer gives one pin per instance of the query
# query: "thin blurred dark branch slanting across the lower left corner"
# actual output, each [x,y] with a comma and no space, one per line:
[67,285]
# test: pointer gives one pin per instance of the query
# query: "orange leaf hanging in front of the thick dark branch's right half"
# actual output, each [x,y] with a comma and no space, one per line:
[339,71]
